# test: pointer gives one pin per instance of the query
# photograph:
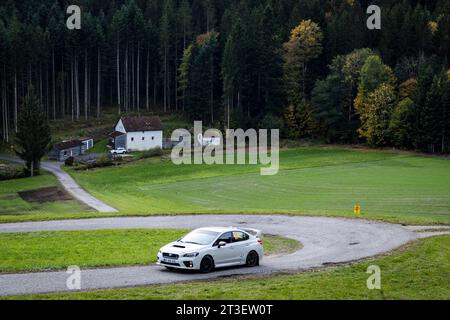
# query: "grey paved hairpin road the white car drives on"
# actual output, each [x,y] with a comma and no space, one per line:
[326,241]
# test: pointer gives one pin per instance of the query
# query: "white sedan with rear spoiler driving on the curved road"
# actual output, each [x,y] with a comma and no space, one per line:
[208,248]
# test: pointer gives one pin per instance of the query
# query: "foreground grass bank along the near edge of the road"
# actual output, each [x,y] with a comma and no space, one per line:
[420,270]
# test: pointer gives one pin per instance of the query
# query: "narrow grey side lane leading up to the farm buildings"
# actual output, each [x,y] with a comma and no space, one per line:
[69,185]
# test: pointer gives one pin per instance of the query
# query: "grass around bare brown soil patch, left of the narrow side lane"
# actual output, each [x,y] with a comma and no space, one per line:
[12,205]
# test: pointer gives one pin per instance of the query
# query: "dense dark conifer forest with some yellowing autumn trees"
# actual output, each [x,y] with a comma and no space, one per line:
[309,67]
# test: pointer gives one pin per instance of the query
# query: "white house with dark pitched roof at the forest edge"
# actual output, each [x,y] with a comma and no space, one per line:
[137,134]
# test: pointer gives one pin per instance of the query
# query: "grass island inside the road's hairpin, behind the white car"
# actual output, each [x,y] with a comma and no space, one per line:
[53,250]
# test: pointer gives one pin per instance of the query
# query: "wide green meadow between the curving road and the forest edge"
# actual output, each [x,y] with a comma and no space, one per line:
[315,180]
